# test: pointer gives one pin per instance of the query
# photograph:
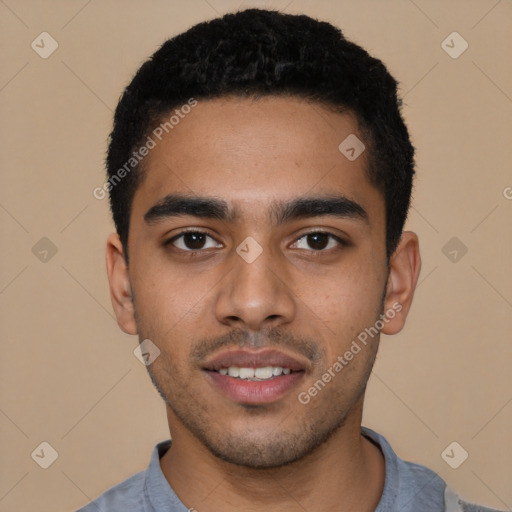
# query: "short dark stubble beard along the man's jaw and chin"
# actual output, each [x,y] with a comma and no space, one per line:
[276,448]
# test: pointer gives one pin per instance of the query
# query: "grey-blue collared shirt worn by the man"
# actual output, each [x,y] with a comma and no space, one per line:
[408,487]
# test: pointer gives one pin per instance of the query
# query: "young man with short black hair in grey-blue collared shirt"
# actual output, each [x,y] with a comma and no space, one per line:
[260,176]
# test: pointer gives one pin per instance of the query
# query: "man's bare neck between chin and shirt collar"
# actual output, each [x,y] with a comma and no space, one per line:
[345,473]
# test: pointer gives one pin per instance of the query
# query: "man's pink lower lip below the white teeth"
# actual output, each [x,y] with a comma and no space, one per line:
[255,392]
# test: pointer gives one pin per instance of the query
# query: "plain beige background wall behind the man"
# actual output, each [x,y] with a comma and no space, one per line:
[69,376]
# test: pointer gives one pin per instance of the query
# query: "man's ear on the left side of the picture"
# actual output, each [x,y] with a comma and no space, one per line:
[120,288]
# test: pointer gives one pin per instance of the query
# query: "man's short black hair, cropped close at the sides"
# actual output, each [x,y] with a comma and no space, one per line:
[254,53]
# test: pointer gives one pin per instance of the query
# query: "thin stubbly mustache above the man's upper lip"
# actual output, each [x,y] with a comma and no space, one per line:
[272,338]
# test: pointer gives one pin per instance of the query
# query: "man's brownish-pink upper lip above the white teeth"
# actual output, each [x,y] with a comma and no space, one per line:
[250,359]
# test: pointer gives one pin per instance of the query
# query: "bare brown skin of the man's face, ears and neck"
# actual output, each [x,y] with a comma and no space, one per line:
[308,301]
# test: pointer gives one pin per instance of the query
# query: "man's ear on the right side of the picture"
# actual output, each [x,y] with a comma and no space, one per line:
[404,269]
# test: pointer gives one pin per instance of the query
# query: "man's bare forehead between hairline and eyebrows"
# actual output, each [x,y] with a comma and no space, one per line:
[255,152]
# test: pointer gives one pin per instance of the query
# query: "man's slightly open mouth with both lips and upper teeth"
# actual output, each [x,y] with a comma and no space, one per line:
[255,377]
